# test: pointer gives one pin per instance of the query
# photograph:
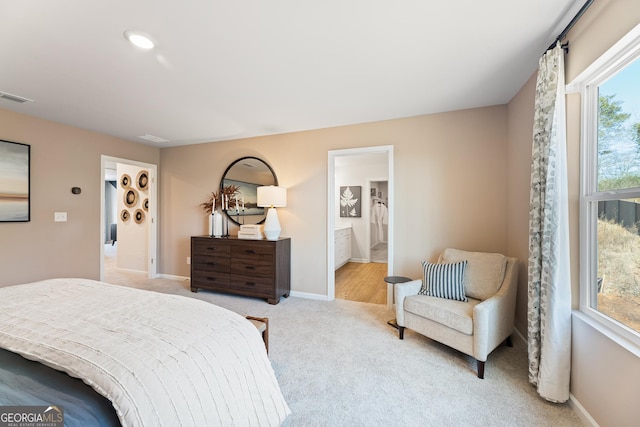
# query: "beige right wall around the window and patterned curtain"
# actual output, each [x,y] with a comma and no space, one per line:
[605,377]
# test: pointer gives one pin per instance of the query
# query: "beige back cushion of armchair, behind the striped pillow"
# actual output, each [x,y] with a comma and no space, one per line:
[484,274]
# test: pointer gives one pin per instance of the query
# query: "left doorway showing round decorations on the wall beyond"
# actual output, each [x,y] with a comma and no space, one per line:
[141,210]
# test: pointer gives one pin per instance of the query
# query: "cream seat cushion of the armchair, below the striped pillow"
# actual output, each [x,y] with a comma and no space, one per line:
[454,314]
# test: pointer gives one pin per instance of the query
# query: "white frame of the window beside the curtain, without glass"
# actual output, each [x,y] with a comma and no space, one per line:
[616,58]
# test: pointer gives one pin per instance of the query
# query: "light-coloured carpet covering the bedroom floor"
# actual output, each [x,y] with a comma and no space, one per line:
[339,364]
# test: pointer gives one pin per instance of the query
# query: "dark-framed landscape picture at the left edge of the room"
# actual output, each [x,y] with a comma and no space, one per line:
[15,182]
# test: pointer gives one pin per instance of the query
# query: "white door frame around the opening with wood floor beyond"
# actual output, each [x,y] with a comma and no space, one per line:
[331,209]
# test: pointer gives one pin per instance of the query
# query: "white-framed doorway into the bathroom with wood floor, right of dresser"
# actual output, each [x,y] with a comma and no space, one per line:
[359,274]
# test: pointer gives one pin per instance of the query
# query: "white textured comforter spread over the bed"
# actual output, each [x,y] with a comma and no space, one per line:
[163,360]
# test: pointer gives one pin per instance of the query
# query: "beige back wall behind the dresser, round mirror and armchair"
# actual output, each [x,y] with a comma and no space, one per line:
[450,188]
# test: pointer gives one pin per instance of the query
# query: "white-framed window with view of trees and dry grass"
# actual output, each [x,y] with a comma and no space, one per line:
[610,194]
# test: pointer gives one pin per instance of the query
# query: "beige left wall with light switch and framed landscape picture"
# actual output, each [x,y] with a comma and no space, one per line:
[61,157]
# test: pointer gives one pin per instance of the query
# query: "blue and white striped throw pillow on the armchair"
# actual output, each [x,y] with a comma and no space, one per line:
[444,280]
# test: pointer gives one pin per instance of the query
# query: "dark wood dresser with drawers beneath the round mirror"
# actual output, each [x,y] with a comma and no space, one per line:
[255,268]
